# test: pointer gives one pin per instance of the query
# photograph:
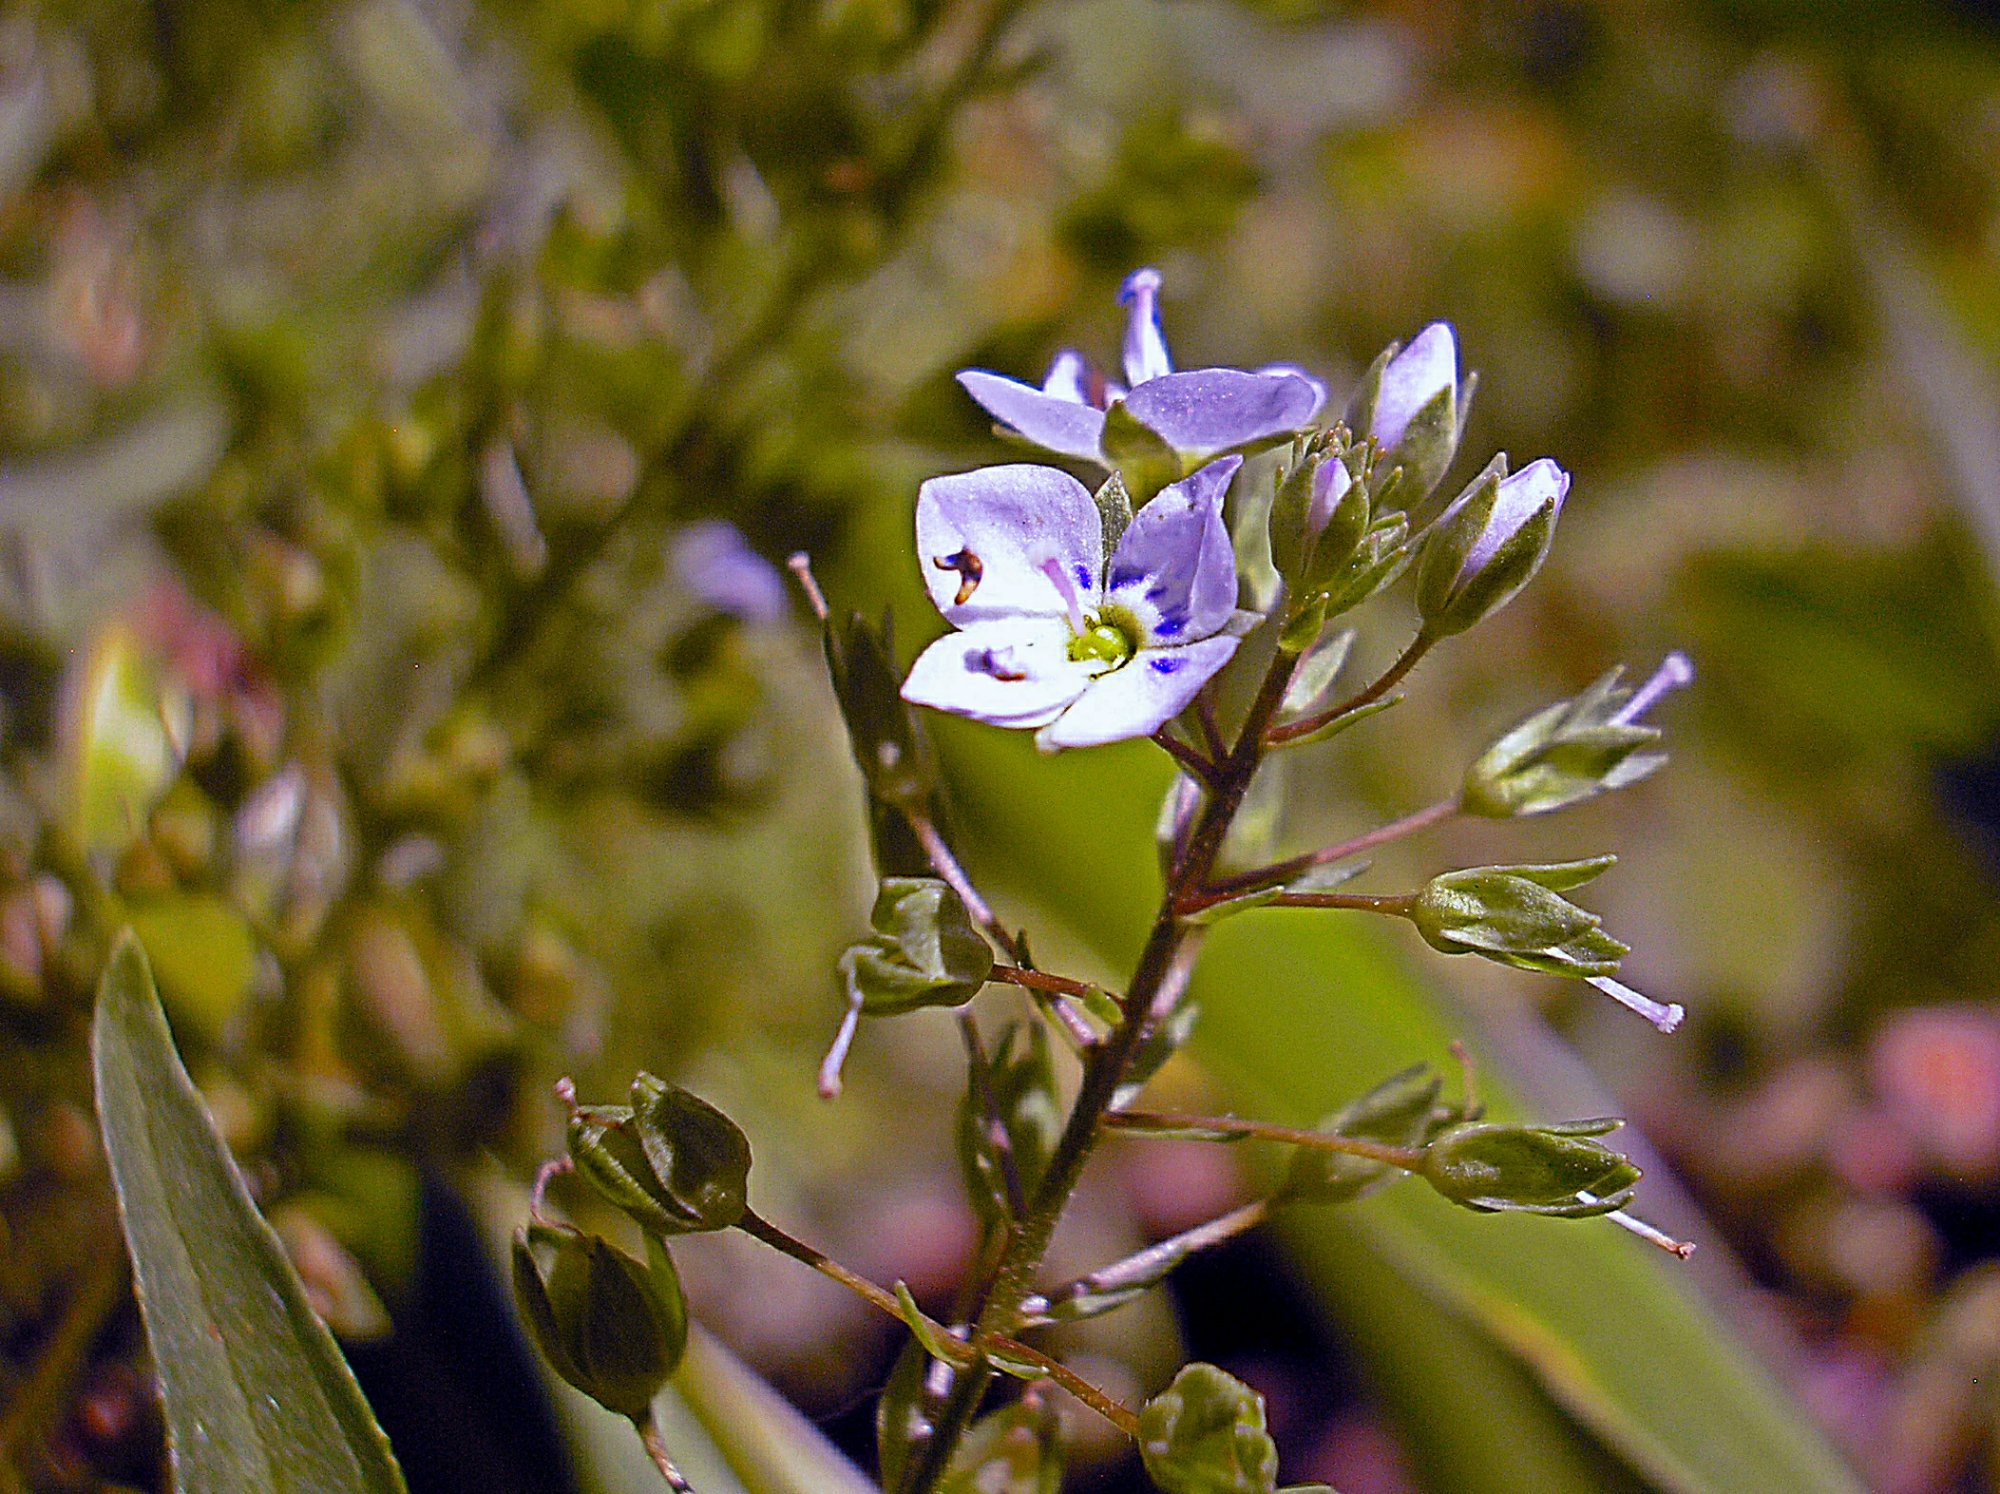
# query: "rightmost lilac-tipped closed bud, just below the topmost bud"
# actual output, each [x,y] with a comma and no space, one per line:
[1489,545]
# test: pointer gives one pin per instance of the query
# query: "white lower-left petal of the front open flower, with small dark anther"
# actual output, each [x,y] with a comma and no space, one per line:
[1005,673]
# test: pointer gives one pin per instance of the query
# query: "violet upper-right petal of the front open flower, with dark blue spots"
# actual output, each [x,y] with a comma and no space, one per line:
[1175,569]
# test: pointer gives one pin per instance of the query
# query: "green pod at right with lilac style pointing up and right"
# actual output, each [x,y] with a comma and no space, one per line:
[1571,751]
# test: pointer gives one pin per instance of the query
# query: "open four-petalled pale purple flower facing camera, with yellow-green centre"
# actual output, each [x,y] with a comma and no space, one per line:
[1055,637]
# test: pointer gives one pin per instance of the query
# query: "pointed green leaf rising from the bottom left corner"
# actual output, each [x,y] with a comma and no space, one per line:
[257,1395]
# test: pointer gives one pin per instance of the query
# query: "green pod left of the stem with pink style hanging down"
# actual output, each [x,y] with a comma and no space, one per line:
[925,951]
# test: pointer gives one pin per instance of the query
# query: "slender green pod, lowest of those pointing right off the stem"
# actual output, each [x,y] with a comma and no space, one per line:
[1495,1167]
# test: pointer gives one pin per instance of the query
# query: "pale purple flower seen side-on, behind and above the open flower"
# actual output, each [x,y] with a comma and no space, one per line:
[1199,413]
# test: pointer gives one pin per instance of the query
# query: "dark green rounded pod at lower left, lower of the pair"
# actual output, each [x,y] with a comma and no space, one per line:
[609,1325]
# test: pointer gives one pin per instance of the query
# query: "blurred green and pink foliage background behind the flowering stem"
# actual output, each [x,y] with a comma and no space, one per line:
[375,373]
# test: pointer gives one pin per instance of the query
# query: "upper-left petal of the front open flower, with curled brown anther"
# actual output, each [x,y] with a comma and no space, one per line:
[989,539]
